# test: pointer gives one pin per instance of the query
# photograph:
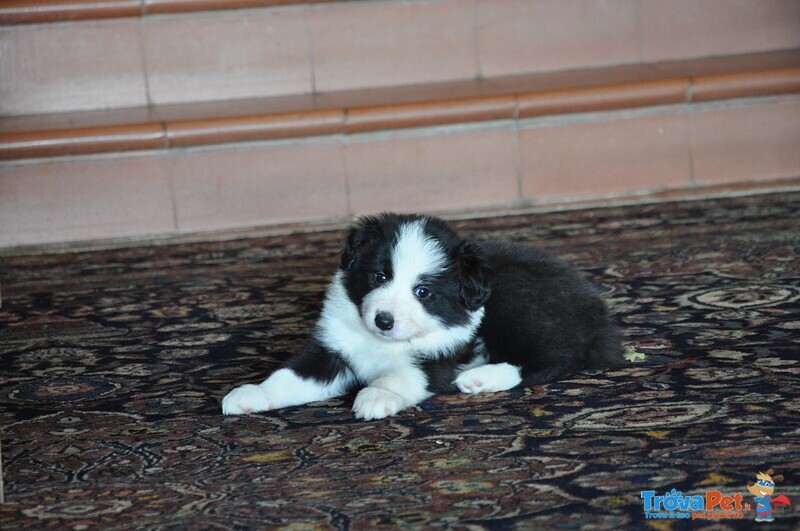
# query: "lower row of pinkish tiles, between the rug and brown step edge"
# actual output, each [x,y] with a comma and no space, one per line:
[427,169]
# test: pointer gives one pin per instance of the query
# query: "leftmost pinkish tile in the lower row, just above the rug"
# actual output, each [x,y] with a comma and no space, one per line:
[68,201]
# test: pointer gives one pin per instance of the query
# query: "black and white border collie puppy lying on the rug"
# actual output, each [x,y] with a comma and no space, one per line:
[416,310]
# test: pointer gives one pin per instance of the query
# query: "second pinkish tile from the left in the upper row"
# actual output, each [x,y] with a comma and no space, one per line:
[193,58]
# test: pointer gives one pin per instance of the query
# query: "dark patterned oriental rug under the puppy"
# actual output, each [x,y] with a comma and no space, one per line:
[113,365]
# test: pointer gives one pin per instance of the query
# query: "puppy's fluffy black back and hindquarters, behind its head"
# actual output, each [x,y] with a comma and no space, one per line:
[544,317]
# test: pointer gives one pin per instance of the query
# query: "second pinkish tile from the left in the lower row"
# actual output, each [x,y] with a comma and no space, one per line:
[259,185]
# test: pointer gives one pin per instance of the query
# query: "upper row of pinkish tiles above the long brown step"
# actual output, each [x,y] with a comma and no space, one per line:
[192,57]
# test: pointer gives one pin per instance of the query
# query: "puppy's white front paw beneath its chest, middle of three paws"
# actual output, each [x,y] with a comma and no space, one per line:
[391,392]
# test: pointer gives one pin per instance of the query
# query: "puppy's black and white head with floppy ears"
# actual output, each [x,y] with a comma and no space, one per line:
[411,276]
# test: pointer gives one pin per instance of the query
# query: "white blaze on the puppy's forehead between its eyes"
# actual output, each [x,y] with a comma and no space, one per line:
[416,254]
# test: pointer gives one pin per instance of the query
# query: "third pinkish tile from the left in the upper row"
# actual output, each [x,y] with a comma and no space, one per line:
[377,44]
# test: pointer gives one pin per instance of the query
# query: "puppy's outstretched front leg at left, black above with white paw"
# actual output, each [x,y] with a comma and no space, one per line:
[312,375]
